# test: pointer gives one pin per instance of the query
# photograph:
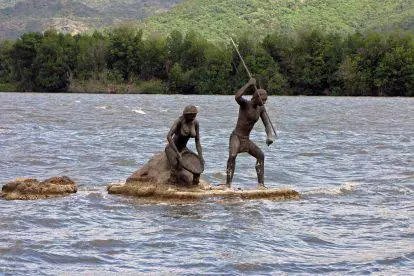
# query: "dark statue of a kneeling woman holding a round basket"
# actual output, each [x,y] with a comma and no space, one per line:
[181,159]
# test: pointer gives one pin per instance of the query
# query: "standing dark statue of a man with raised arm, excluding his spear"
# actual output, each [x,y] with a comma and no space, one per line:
[249,113]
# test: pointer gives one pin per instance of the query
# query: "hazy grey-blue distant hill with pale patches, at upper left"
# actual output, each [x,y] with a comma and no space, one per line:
[74,16]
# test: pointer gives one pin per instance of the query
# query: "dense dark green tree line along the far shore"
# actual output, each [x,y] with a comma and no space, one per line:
[310,62]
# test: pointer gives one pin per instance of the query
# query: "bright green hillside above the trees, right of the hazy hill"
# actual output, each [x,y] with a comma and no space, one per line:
[216,19]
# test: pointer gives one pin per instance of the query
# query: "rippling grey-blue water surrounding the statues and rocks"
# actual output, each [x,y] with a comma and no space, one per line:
[352,159]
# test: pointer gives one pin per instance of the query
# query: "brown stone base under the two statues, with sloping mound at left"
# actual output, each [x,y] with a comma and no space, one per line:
[152,181]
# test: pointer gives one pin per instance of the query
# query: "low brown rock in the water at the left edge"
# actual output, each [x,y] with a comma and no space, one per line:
[31,188]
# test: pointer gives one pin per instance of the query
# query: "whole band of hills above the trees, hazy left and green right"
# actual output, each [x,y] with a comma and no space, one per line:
[214,19]
